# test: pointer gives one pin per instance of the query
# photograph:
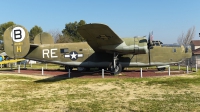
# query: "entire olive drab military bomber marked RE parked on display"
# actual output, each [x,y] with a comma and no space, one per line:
[102,49]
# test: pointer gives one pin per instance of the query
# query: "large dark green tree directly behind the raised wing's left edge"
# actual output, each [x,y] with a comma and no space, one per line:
[71,30]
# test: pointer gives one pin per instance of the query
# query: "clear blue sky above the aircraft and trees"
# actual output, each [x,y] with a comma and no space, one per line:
[168,19]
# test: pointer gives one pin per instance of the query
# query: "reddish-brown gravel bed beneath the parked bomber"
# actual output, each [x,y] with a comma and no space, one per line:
[96,74]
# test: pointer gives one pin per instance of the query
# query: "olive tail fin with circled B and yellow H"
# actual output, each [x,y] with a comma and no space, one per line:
[16,41]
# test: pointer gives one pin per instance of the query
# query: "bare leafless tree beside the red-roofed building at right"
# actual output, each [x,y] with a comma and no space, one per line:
[186,39]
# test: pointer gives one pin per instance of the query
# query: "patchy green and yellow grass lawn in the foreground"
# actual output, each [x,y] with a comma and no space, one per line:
[20,93]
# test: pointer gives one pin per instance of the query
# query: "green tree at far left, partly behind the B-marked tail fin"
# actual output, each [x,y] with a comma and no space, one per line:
[3,27]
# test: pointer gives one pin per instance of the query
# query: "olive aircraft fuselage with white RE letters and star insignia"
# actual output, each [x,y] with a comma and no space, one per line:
[81,54]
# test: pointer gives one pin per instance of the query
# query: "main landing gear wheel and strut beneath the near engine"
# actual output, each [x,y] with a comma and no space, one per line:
[115,67]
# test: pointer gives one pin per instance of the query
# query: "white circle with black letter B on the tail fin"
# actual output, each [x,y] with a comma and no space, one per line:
[17,34]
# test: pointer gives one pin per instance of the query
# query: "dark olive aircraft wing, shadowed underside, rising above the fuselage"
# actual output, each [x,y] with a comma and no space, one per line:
[98,36]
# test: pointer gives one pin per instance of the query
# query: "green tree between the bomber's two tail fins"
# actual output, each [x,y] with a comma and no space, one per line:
[34,31]
